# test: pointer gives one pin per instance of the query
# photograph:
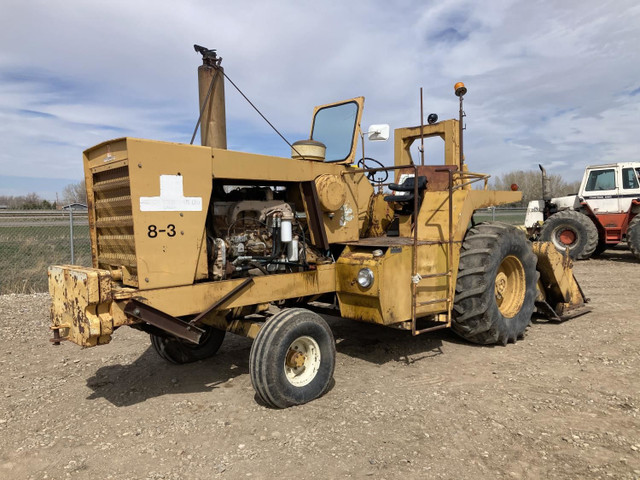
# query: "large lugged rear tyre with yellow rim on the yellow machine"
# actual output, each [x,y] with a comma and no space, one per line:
[496,286]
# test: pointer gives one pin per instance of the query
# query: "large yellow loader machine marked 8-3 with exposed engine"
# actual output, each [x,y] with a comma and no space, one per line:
[190,242]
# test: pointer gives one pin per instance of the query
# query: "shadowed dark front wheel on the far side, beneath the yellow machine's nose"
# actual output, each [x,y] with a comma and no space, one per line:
[176,350]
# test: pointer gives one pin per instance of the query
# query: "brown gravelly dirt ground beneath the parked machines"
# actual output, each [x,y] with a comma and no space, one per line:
[562,403]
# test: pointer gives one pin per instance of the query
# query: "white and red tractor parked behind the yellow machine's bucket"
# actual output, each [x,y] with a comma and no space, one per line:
[601,215]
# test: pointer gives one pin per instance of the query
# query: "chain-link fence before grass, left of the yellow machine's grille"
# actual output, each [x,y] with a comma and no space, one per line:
[31,240]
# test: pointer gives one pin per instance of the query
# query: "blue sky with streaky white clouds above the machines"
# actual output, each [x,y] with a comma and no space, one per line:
[549,82]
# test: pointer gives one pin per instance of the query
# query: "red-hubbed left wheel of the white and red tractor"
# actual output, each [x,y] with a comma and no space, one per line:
[573,230]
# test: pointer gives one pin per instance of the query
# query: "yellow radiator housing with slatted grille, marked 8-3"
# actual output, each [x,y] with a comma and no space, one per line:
[153,249]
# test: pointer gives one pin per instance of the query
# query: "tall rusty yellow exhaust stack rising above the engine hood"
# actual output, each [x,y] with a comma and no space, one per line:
[213,128]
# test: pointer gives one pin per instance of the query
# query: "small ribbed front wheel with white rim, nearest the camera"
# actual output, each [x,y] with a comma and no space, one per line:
[292,358]
